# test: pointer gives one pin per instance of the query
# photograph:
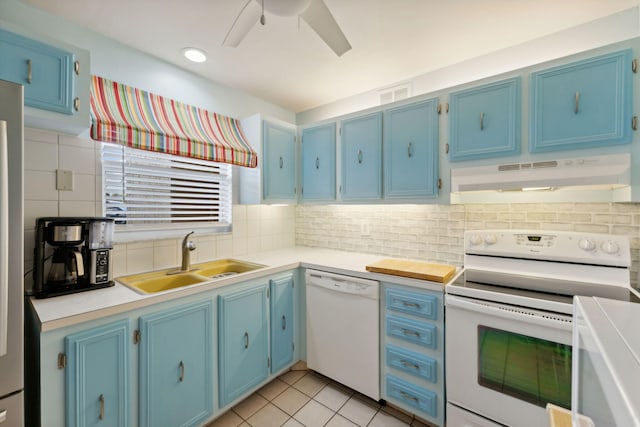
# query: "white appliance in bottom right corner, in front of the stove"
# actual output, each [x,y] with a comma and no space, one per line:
[606,363]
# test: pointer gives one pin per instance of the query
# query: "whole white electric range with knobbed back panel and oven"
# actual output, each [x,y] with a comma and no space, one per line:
[509,320]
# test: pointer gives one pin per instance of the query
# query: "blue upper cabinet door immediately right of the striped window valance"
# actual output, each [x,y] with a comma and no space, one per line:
[279,163]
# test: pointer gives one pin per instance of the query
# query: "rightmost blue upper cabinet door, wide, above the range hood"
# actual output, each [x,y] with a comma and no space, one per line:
[583,104]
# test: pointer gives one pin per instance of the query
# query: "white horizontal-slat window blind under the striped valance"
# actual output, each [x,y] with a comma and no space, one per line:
[145,190]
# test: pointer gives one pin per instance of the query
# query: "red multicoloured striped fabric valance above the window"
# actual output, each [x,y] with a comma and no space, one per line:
[140,119]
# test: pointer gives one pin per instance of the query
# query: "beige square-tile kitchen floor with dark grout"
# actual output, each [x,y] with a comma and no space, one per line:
[306,399]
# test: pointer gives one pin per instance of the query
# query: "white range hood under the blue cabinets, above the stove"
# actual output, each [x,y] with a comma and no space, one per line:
[599,178]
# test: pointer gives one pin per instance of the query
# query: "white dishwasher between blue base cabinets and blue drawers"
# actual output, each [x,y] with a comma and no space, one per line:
[343,333]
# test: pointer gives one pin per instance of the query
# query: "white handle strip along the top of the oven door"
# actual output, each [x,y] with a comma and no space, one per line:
[556,321]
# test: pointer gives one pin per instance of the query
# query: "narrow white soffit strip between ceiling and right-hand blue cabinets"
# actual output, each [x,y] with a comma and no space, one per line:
[618,27]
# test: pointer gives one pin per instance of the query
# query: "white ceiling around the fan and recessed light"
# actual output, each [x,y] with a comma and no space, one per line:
[287,64]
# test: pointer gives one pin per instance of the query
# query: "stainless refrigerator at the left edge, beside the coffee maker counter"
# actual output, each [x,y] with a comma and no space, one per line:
[11,256]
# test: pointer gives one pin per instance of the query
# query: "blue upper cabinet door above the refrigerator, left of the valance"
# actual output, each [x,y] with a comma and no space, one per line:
[46,72]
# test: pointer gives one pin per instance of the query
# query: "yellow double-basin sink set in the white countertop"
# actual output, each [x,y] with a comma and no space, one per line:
[164,280]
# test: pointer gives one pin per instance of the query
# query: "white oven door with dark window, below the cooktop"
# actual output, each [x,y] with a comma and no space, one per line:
[505,362]
